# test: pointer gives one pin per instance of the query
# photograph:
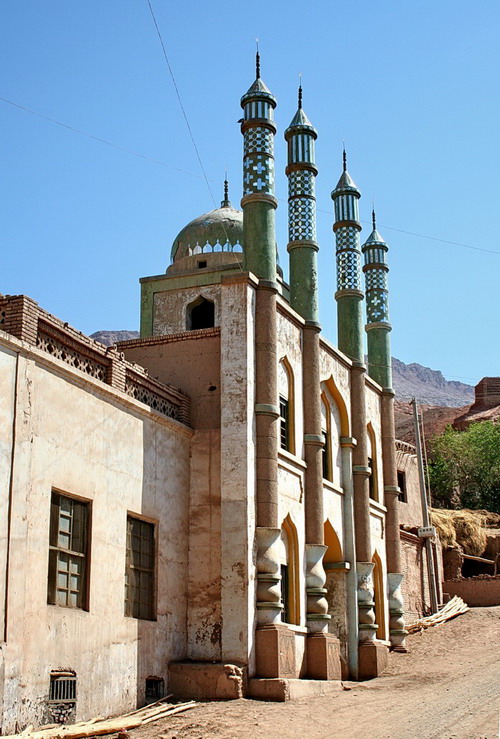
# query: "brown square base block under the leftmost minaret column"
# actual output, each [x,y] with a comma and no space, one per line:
[275,651]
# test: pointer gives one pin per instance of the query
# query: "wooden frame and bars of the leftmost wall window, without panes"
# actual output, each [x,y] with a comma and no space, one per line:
[72,554]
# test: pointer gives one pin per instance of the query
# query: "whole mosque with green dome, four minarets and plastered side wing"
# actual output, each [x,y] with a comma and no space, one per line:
[211,509]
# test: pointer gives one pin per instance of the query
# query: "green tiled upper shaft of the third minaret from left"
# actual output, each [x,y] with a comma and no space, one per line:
[349,294]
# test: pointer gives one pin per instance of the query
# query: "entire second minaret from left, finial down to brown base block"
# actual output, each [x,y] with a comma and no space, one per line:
[302,247]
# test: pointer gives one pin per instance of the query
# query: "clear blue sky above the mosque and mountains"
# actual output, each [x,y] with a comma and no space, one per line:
[411,87]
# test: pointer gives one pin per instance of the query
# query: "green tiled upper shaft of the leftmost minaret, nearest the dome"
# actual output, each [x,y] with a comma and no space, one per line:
[258,202]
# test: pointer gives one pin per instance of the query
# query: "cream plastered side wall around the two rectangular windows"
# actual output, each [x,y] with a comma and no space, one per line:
[81,437]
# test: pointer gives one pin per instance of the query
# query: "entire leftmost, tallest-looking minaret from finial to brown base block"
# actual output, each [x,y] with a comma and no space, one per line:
[258,205]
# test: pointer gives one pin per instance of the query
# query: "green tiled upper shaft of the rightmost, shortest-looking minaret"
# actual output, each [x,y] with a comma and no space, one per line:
[377,308]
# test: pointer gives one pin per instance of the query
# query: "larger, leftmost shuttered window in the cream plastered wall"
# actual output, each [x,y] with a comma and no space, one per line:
[68,561]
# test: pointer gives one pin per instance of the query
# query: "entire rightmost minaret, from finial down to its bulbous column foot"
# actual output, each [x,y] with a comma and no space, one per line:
[379,367]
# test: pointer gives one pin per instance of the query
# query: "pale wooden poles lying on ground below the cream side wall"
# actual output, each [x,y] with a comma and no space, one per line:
[100,726]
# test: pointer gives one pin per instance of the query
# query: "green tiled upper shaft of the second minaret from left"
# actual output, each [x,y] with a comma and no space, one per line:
[302,245]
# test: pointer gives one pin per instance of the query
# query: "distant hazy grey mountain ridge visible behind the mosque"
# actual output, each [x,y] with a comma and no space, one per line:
[410,380]
